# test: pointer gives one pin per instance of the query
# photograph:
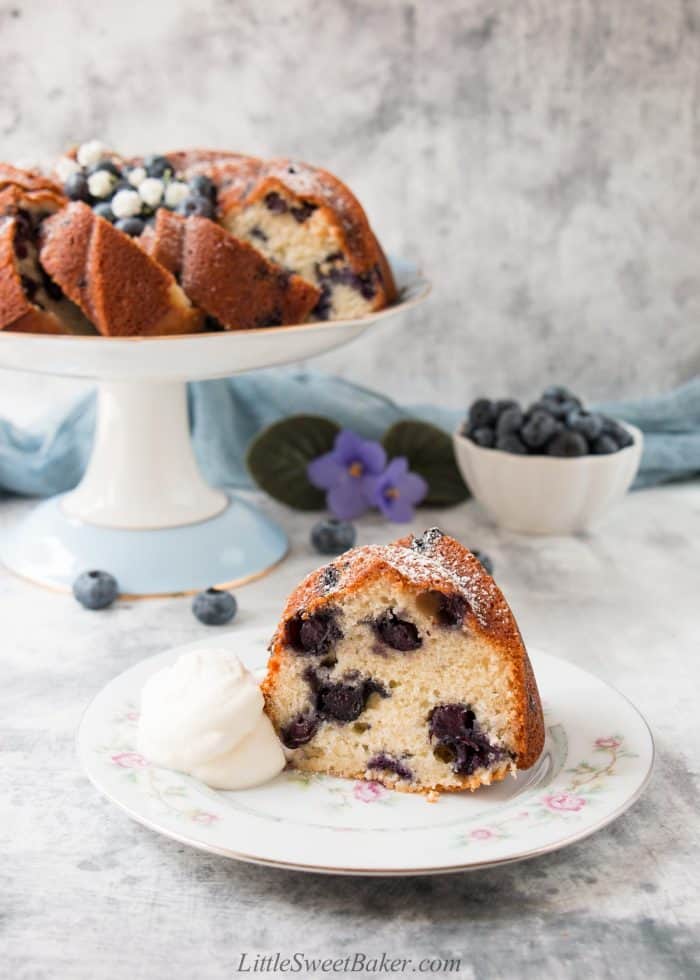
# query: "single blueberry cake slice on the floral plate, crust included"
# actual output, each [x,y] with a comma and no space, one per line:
[403,664]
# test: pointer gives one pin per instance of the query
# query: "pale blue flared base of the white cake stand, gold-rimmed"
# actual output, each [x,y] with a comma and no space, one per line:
[236,546]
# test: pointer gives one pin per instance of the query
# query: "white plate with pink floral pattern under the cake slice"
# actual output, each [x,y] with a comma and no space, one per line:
[596,762]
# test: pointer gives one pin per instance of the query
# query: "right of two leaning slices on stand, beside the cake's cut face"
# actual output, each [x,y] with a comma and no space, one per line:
[226,278]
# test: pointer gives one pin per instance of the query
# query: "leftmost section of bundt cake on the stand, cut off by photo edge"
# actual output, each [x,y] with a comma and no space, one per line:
[30,302]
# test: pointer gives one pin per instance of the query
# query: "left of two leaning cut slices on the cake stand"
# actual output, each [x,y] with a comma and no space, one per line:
[114,282]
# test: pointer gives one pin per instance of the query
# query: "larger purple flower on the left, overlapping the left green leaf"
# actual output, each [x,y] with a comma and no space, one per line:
[344,472]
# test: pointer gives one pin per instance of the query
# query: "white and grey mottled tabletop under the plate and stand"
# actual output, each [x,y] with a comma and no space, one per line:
[87,893]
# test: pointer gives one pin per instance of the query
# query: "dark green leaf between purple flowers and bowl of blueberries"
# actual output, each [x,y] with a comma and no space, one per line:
[430,454]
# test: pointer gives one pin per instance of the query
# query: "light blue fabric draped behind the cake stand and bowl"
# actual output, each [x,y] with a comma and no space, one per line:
[225,415]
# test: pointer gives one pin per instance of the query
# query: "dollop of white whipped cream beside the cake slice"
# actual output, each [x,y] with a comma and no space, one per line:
[203,715]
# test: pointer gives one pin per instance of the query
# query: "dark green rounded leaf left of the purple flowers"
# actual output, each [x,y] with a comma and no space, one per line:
[278,457]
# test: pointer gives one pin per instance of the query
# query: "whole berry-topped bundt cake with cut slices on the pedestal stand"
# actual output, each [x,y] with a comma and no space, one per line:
[227,242]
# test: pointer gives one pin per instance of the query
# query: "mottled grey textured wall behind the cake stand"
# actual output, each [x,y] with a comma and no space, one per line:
[539,157]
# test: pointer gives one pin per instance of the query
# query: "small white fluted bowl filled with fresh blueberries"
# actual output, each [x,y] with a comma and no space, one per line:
[551,468]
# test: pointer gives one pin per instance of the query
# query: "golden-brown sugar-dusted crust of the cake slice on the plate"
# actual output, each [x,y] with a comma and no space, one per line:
[431,562]
